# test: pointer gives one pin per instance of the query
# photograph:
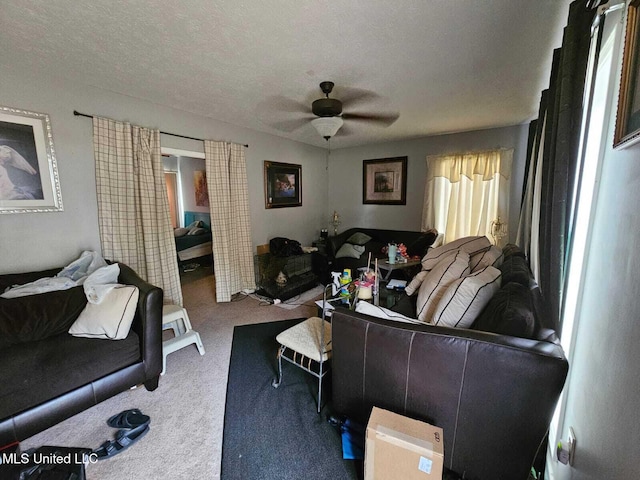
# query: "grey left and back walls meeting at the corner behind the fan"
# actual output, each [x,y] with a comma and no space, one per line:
[43,240]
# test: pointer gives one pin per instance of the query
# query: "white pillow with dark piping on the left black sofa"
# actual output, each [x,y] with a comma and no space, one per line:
[111,318]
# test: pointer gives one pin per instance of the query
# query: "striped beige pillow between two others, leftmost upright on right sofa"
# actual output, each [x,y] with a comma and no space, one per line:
[450,268]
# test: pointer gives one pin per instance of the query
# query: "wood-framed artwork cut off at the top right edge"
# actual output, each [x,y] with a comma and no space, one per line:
[628,116]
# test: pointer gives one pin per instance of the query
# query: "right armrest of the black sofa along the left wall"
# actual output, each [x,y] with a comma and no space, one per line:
[147,322]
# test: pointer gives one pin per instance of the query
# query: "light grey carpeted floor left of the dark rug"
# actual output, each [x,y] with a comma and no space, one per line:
[187,409]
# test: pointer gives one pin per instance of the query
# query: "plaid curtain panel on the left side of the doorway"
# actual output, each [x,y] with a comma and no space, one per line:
[133,210]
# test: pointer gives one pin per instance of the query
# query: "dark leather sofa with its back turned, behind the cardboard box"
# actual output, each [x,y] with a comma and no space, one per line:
[493,394]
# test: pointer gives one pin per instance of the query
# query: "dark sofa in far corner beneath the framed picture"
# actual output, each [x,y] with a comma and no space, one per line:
[416,243]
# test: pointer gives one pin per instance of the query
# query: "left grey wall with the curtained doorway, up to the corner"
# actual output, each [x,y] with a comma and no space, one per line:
[42,240]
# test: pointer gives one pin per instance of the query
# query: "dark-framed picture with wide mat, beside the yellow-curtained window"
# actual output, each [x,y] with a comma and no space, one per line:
[384,181]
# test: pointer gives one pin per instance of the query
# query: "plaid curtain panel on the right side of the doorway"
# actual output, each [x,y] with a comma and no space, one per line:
[230,222]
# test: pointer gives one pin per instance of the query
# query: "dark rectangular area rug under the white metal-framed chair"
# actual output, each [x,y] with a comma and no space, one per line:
[275,433]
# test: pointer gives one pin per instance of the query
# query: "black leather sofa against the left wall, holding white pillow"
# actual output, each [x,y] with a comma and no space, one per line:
[51,379]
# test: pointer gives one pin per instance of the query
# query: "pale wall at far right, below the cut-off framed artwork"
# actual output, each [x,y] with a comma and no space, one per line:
[603,388]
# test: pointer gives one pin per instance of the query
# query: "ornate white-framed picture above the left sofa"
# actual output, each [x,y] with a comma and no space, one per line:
[28,170]
